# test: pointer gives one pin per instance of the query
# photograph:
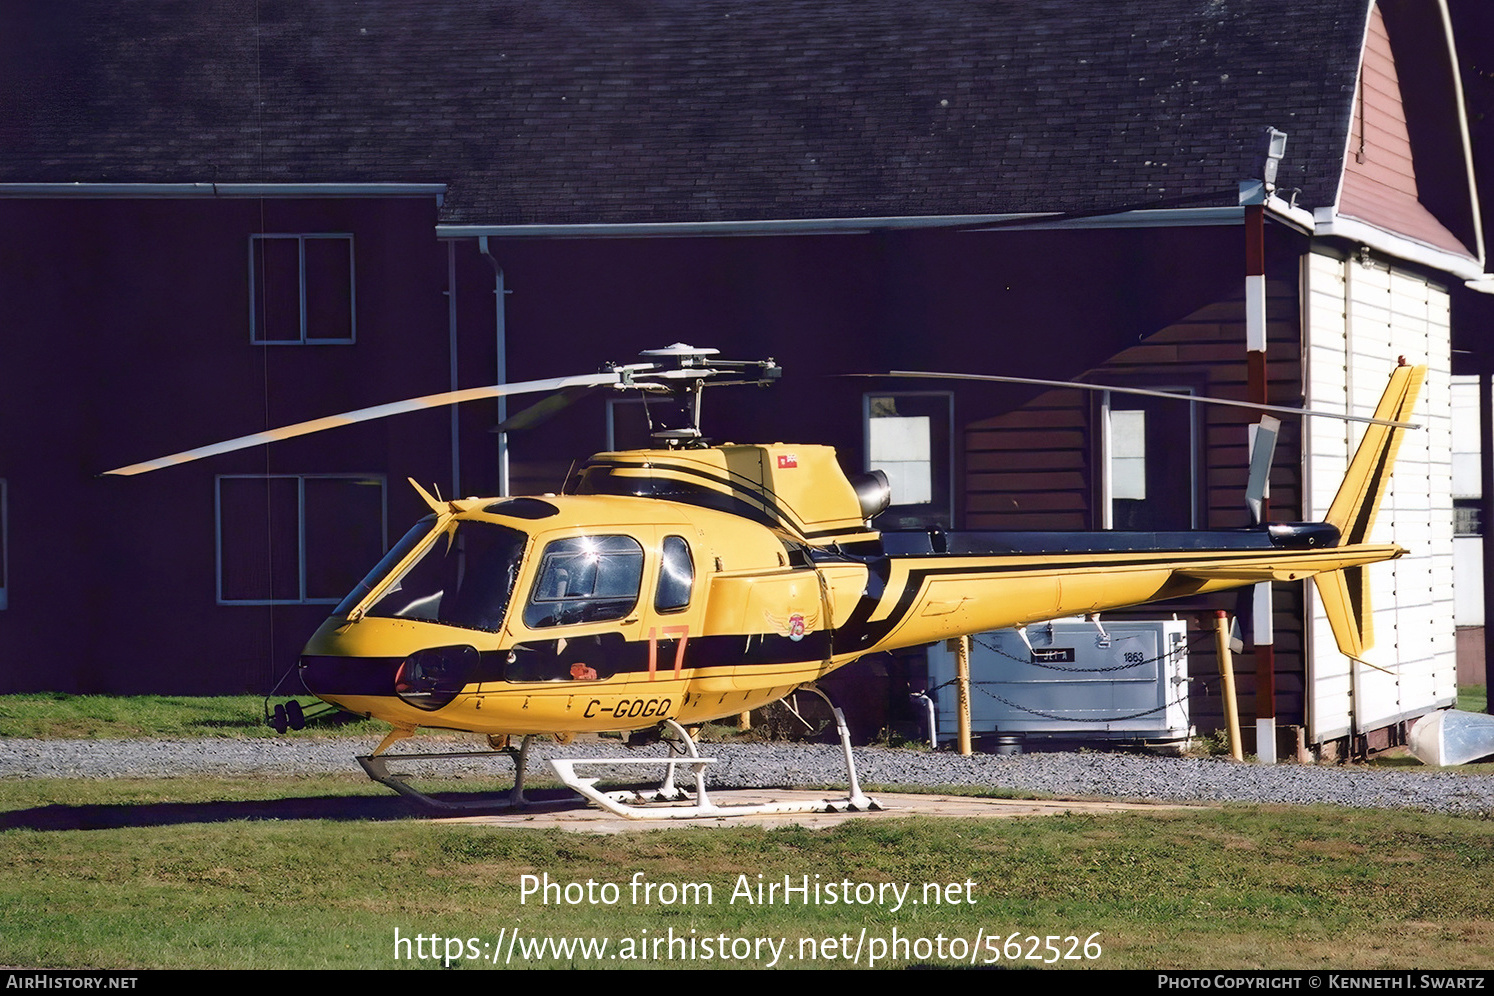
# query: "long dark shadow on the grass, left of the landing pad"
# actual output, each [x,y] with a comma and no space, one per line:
[341,809]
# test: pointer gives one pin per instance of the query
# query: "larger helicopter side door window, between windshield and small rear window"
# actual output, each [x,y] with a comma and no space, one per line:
[586,580]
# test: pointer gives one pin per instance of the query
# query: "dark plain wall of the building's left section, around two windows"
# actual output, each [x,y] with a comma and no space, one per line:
[128,337]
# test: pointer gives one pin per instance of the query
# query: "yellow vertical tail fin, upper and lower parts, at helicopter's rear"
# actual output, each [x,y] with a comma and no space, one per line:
[1347,594]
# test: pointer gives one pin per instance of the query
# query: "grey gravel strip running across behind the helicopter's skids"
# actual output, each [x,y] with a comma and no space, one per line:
[778,765]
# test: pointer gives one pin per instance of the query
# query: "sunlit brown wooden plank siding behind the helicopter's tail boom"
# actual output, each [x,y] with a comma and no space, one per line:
[1039,468]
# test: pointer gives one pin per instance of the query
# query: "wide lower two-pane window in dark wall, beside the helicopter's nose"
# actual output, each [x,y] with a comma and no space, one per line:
[298,540]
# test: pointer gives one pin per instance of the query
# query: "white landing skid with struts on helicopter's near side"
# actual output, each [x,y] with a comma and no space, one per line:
[633,806]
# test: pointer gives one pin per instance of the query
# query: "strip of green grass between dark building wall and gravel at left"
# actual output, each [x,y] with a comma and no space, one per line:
[99,718]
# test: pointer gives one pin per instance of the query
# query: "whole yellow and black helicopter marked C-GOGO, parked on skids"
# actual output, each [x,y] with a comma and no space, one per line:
[689,583]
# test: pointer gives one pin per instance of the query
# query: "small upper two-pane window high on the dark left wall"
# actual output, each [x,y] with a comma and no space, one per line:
[301,289]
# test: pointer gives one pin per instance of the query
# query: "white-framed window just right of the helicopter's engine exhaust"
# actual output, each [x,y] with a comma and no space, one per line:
[909,438]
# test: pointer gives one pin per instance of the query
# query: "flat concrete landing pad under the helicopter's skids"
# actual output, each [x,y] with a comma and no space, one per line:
[583,819]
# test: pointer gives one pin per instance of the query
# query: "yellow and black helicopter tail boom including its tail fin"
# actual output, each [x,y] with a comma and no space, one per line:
[936,588]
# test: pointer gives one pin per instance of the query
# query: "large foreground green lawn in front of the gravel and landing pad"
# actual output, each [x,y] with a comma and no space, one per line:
[228,874]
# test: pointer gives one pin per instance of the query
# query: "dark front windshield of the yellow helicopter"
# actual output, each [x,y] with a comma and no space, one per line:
[464,579]
